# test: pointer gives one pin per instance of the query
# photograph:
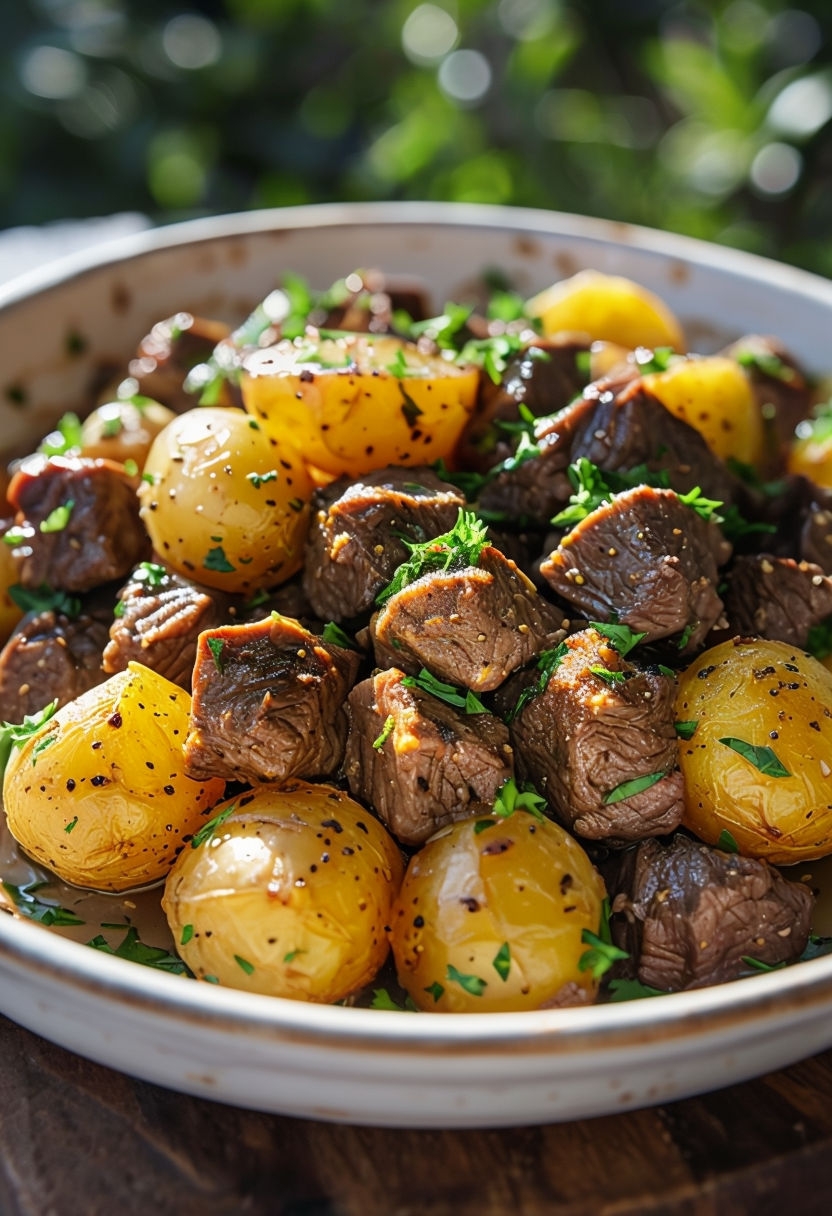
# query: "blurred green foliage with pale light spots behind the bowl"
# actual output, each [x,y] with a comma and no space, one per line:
[710,119]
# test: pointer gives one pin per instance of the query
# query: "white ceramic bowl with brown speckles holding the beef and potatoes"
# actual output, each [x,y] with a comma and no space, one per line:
[362,1066]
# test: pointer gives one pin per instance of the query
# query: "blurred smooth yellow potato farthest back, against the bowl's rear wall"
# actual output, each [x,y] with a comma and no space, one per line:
[608,308]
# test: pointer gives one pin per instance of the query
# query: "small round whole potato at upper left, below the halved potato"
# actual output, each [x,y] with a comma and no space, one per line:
[223,504]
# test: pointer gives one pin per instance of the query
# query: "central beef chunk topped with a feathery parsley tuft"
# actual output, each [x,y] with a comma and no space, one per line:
[471,627]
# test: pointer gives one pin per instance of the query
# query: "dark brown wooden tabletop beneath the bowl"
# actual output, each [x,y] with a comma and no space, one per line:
[78,1140]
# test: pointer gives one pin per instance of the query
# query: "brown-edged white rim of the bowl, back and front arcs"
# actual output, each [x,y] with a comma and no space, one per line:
[31,949]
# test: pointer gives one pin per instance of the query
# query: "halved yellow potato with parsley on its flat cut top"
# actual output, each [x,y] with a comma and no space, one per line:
[357,403]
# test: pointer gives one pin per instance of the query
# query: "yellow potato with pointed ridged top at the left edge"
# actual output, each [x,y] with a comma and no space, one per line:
[108,804]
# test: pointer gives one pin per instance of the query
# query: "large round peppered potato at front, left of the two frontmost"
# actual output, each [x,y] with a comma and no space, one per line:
[290,896]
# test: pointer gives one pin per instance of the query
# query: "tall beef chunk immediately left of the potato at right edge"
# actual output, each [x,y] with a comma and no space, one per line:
[598,727]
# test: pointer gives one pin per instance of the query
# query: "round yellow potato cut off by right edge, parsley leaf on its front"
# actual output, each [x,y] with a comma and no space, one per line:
[768,695]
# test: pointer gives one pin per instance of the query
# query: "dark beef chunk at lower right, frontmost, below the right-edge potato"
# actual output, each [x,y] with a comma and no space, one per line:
[689,915]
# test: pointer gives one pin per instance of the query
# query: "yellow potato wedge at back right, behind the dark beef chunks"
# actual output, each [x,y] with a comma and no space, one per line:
[716,397]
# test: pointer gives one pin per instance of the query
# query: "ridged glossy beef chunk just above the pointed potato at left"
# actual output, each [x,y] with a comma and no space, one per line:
[160,620]
